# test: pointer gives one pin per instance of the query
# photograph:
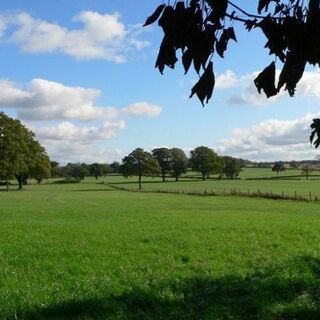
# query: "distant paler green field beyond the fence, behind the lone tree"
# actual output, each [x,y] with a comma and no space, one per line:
[251,180]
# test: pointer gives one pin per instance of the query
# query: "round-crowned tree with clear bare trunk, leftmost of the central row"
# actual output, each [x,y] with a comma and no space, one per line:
[139,163]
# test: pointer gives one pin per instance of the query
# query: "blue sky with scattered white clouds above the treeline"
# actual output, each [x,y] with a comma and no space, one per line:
[80,74]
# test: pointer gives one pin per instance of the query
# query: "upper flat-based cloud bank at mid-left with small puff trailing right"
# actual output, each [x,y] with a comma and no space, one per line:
[47,100]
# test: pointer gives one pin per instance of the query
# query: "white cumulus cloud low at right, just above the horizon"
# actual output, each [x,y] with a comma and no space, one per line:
[272,140]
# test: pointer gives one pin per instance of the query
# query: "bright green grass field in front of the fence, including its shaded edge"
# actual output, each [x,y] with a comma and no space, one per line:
[88,251]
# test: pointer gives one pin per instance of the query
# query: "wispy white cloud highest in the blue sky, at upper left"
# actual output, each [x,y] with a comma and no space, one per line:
[101,36]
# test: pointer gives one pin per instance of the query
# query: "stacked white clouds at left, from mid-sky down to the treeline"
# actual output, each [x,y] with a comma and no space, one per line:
[67,120]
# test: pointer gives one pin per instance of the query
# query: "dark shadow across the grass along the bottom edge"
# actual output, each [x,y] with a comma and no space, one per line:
[262,295]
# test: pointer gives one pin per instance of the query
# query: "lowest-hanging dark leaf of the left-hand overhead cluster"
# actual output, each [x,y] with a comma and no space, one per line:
[204,87]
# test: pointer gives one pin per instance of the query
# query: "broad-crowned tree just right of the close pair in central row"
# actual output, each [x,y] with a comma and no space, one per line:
[206,161]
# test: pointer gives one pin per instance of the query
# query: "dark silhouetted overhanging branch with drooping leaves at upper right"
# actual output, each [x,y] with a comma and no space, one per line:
[201,30]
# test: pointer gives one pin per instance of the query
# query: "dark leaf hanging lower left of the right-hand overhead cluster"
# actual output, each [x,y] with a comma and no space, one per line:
[266,81]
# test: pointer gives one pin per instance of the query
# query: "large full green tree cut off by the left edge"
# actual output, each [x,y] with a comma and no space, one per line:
[21,155]
